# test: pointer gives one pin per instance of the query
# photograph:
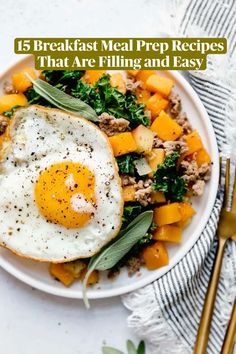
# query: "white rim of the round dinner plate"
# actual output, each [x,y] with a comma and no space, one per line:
[107,293]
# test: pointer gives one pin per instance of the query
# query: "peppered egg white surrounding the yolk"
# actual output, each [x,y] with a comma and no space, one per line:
[40,137]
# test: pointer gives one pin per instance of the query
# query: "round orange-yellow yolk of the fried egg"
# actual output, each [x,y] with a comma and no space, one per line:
[64,194]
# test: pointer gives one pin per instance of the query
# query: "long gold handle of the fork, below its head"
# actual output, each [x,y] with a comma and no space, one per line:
[205,322]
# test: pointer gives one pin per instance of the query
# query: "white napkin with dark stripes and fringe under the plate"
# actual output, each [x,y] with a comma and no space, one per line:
[166,313]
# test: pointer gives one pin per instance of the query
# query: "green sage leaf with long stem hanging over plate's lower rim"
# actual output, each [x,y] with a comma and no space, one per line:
[114,252]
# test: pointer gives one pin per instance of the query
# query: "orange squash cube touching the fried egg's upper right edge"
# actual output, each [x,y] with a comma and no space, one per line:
[123,143]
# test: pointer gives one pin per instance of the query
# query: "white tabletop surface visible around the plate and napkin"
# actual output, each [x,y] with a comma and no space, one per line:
[30,321]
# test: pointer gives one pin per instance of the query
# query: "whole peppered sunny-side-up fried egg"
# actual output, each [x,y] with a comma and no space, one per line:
[61,195]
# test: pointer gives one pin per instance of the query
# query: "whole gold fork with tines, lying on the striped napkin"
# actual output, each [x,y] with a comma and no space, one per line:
[226,229]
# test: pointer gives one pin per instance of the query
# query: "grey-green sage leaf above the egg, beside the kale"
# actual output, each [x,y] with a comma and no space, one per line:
[62,100]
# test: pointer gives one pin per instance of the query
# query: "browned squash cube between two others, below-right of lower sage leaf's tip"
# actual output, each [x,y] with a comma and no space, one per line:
[169,233]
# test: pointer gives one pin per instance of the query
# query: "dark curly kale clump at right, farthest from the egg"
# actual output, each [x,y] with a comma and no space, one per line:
[168,180]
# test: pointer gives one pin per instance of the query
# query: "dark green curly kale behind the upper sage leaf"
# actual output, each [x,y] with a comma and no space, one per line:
[101,96]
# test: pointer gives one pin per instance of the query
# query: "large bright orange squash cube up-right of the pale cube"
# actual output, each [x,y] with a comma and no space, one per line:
[166,128]
